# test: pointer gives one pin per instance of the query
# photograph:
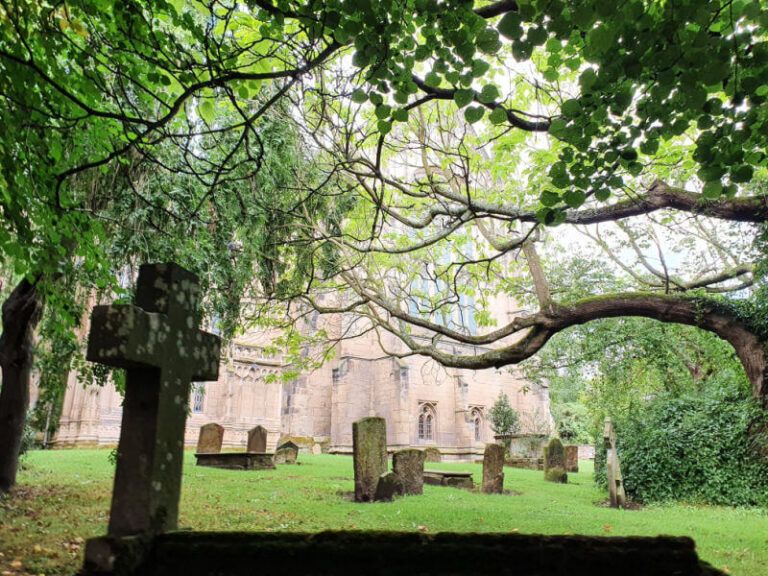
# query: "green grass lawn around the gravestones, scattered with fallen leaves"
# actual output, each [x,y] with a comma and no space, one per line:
[63,498]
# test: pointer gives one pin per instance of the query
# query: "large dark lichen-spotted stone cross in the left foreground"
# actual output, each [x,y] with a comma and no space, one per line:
[156,341]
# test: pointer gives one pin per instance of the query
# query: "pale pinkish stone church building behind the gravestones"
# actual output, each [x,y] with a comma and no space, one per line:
[423,403]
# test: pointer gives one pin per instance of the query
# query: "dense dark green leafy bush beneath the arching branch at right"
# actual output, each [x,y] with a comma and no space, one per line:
[696,447]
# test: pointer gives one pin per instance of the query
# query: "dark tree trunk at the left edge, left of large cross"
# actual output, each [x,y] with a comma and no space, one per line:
[21,313]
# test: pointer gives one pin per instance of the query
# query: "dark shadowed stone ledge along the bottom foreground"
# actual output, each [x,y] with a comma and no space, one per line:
[387,553]
